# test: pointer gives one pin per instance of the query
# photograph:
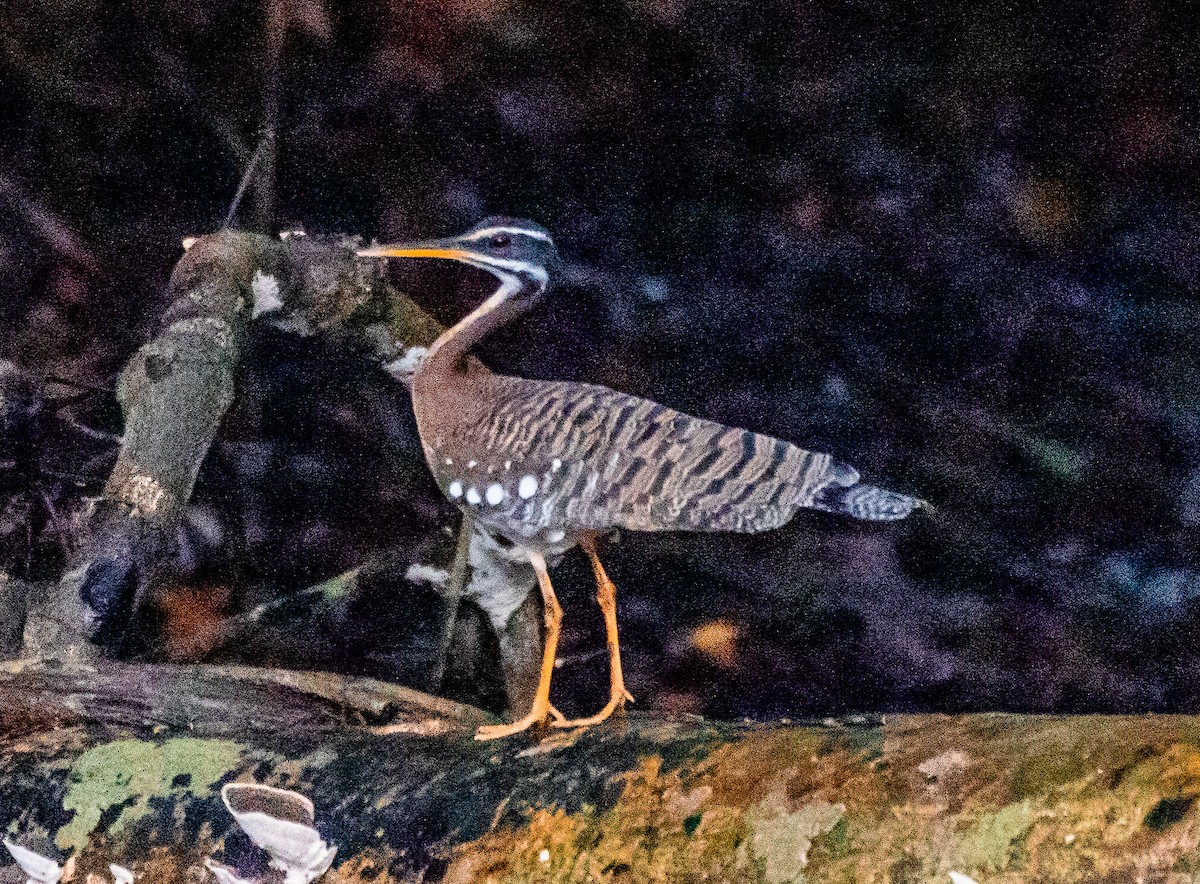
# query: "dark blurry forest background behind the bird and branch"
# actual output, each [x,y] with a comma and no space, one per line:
[957,249]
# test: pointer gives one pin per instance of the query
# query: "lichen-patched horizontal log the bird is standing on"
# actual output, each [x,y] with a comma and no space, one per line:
[123,763]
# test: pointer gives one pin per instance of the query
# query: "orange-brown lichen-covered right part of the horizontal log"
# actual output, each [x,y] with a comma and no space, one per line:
[983,796]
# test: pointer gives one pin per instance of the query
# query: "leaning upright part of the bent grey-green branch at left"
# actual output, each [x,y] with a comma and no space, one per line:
[173,394]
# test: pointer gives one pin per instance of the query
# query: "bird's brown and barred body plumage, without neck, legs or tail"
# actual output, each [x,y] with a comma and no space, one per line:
[607,460]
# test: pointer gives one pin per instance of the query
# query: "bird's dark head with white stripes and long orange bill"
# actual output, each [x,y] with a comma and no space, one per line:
[520,254]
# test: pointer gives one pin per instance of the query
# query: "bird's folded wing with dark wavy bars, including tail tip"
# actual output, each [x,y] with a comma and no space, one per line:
[607,460]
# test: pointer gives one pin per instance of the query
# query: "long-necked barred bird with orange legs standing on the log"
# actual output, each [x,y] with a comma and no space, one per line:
[551,465]
